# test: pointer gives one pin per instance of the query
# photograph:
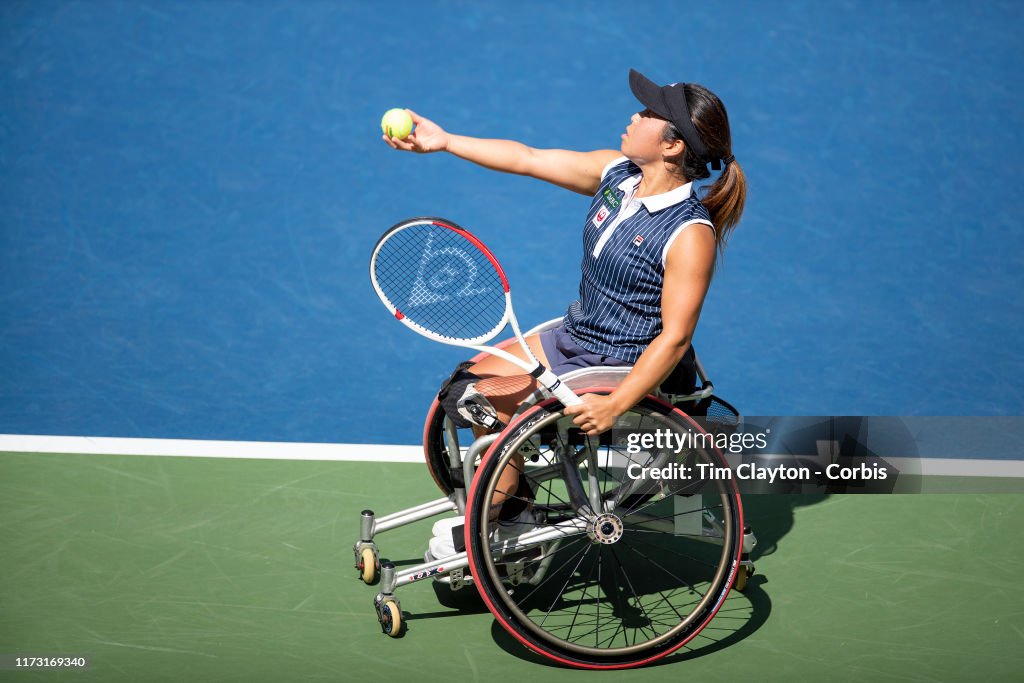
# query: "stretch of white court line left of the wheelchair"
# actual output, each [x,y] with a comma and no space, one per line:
[371,453]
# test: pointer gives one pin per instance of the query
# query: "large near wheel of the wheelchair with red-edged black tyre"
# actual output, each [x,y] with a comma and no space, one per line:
[605,570]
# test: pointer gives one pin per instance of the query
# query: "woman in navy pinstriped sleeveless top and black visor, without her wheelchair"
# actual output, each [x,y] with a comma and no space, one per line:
[650,242]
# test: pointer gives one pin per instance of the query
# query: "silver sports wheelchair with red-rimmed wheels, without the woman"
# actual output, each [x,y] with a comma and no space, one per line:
[616,559]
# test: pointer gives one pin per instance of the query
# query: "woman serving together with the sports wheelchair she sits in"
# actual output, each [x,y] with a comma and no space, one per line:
[577,559]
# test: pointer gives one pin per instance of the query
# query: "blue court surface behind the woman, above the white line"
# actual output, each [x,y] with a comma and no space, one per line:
[190,193]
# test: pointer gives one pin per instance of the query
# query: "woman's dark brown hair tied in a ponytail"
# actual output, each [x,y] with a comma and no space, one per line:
[726,198]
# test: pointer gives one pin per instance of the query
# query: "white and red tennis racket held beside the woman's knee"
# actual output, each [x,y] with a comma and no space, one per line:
[442,282]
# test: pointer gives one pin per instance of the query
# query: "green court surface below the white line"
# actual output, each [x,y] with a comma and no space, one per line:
[214,570]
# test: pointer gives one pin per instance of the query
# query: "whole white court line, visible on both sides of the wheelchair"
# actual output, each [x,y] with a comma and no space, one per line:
[373,453]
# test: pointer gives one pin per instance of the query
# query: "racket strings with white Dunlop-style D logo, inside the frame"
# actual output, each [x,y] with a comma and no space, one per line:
[442,282]
